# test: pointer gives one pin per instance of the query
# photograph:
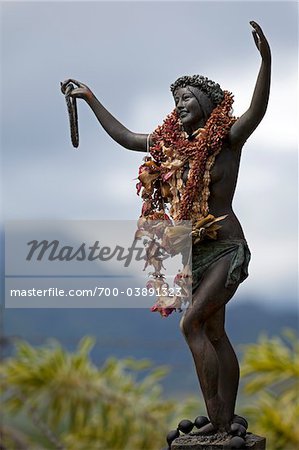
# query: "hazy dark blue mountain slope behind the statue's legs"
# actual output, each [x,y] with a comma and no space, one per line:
[141,334]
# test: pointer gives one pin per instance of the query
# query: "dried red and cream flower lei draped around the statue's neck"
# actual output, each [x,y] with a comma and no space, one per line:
[164,194]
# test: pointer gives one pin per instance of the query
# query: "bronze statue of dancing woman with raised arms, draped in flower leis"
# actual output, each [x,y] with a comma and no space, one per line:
[220,265]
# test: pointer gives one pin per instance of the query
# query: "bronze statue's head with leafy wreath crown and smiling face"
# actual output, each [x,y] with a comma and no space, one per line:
[195,98]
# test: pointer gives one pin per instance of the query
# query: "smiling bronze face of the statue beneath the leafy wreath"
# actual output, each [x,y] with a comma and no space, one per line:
[188,109]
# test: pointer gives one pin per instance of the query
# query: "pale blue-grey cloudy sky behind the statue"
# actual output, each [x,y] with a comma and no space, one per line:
[129,53]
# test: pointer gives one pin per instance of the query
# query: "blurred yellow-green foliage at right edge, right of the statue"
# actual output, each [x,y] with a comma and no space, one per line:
[271,369]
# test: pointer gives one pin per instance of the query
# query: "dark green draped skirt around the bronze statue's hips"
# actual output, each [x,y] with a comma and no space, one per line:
[208,252]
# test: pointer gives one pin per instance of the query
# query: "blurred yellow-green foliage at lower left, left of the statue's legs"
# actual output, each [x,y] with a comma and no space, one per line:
[77,405]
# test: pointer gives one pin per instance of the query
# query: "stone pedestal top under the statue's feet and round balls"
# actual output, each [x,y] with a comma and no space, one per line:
[218,441]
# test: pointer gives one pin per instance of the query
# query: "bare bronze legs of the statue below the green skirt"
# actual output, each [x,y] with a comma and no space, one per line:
[202,326]
